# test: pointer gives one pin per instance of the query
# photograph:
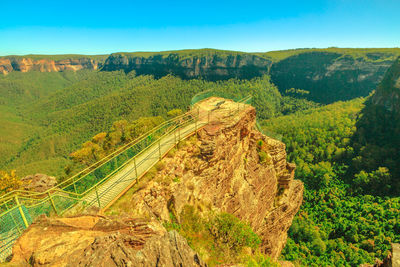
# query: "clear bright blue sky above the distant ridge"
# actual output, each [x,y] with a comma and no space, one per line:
[102,27]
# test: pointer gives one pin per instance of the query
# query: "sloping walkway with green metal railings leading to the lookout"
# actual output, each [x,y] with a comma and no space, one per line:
[99,184]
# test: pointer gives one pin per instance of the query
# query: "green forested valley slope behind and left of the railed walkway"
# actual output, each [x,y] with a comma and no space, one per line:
[48,120]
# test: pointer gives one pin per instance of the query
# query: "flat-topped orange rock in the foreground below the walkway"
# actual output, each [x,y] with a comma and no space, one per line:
[94,240]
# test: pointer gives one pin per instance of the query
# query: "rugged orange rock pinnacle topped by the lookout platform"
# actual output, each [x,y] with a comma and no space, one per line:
[222,171]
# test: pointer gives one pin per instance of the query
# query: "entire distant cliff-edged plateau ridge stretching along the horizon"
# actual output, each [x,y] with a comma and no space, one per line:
[328,75]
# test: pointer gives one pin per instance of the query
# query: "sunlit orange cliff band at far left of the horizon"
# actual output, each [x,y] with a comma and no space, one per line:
[25,64]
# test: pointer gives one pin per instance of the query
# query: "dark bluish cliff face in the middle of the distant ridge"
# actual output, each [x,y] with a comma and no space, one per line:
[210,66]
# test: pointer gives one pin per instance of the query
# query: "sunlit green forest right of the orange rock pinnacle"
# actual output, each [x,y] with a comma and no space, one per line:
[336,225]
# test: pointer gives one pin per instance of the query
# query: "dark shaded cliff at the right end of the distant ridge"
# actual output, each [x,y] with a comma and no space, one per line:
[330,77]
